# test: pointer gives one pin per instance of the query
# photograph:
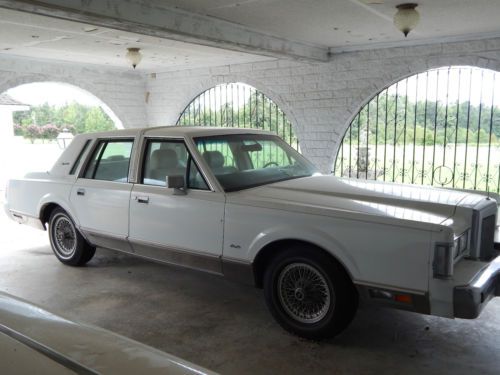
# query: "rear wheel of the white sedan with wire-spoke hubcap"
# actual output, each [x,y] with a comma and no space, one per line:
[68,244]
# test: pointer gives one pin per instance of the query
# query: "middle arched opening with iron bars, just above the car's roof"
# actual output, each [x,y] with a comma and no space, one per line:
[238,105]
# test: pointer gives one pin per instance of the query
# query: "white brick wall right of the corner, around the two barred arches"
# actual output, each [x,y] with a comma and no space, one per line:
[320,99]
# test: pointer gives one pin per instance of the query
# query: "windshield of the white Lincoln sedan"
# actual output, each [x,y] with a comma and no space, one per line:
[241,161]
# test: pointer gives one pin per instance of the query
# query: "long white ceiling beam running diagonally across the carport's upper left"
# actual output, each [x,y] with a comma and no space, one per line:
[155,19]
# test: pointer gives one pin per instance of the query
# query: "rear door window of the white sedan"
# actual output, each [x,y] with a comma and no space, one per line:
[110,161]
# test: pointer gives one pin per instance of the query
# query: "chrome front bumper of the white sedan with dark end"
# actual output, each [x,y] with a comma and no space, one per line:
[469,300]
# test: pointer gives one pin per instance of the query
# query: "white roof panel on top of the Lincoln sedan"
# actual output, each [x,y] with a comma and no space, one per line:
[179,131]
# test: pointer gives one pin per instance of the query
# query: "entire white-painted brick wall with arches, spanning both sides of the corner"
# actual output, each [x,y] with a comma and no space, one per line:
[319,99]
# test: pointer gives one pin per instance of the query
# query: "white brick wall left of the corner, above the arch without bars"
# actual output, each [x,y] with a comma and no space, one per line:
[122,92]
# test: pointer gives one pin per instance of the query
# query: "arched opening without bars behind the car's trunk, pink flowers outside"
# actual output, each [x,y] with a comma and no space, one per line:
[46,116]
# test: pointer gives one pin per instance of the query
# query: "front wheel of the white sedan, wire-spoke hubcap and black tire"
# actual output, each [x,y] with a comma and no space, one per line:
[309,293]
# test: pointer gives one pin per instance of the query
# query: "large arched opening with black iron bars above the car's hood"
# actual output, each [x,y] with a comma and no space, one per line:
[440,127]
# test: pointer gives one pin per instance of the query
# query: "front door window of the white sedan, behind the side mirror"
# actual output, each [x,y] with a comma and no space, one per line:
[170,158]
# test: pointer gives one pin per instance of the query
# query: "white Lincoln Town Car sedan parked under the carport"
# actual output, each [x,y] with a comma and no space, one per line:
[243,204]
